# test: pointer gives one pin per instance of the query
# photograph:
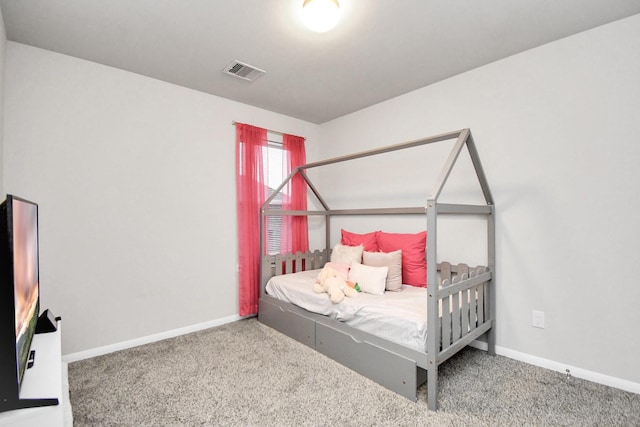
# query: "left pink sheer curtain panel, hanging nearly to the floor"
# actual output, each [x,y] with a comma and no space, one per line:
[251,194]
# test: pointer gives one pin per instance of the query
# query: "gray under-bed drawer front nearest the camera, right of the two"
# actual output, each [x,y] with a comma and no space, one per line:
[387,368]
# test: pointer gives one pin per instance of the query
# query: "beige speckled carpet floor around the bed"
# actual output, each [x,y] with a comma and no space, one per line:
[247,374]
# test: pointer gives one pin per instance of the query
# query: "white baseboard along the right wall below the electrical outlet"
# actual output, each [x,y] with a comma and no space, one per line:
[563,368]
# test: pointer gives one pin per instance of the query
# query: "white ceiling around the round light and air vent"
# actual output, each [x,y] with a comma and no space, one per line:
[379,50]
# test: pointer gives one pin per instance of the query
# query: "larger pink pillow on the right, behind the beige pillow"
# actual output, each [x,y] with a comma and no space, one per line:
[414,261]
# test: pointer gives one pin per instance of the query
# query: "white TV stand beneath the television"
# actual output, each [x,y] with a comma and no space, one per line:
[46,379]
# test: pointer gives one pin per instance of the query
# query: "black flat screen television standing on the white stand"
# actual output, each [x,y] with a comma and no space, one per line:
[19,298]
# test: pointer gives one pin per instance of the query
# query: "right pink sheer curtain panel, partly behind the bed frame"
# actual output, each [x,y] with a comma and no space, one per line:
[294,234]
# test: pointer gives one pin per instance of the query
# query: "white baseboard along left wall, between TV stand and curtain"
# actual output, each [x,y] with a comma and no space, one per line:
[99,351]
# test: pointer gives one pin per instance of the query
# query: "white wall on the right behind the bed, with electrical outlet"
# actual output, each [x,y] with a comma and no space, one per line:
[557,130]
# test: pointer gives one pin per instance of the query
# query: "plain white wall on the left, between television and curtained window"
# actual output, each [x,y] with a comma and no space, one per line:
[135,182]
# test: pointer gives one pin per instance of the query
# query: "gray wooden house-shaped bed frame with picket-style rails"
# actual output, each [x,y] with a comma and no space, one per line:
[460,309]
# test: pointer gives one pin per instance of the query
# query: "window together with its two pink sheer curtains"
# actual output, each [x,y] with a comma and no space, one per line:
[259,169]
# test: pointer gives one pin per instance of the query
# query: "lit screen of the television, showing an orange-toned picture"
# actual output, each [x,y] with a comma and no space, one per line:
[23,222]
